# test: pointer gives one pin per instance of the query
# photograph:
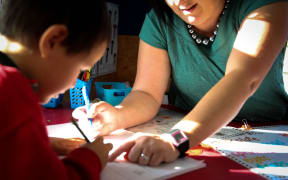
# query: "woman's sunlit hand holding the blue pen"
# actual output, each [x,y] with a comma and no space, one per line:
[105,117]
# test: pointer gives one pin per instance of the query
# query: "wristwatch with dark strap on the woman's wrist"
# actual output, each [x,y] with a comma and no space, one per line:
[180,141]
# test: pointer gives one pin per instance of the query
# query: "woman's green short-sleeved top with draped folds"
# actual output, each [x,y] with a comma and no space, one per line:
[196,69]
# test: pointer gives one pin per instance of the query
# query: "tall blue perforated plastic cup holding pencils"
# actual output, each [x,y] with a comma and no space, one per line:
[76,96]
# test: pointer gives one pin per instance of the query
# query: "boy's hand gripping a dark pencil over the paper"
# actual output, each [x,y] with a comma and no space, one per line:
[101,149]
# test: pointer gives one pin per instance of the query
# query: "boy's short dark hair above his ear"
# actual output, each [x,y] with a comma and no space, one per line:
[26,20]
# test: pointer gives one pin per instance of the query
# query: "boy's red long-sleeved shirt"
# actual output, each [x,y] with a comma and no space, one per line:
[25,151]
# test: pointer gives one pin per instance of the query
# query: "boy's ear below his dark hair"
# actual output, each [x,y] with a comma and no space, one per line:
[51,38]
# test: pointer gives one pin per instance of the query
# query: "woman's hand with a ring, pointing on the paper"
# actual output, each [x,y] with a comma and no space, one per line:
[145,149]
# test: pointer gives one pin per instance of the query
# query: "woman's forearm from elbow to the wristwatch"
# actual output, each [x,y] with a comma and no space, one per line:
[218,107]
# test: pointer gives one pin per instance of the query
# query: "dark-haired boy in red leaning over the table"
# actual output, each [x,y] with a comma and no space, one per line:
[43,46]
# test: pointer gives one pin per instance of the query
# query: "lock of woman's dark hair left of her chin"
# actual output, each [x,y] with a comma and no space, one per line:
[161,9]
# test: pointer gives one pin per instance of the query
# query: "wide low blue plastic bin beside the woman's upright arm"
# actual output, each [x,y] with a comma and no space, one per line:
[112,92]
